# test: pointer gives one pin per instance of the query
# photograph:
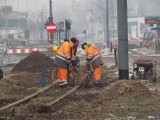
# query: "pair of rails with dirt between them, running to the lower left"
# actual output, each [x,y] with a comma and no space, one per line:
[47,96]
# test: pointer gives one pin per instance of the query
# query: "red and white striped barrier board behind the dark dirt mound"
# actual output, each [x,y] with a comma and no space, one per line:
[26,50]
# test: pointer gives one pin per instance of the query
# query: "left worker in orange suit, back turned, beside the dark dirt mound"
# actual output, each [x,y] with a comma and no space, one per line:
[63,59]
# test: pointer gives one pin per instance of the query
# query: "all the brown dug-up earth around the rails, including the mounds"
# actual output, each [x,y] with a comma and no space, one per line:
[116,100]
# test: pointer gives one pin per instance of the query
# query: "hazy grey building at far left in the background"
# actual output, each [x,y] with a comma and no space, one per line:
[13,24]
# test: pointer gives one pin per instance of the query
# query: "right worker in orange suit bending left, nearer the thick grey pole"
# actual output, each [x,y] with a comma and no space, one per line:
[94,60]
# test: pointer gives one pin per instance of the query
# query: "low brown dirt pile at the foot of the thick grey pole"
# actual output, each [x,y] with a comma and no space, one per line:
[128,89]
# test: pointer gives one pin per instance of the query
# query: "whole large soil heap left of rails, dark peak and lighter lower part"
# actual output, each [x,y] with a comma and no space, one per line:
[25,77]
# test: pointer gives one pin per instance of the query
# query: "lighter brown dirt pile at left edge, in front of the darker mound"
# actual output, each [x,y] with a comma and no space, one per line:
[15,86]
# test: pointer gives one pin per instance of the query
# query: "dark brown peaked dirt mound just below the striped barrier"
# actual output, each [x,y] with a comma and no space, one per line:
[36,62]
